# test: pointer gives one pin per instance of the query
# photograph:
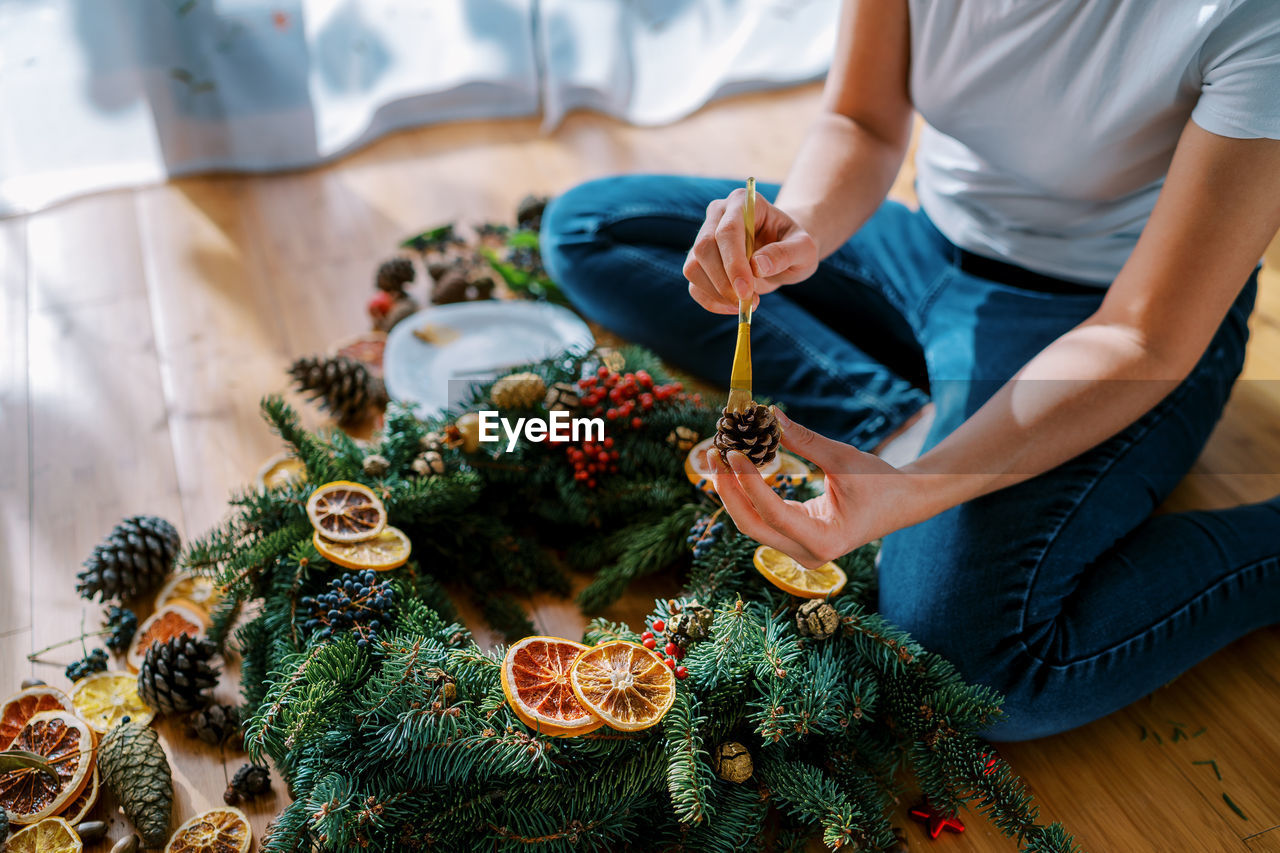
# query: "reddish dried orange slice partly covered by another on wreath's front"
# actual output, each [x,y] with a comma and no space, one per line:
[536,679]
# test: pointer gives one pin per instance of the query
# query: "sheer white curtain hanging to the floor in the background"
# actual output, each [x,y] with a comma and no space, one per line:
[102,94]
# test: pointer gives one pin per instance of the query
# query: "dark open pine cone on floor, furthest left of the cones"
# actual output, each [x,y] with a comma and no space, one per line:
[132,562]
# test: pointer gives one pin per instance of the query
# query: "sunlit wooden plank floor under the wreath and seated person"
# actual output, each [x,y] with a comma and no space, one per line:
[139,331]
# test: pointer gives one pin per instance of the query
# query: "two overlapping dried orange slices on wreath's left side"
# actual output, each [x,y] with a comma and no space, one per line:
[351,528]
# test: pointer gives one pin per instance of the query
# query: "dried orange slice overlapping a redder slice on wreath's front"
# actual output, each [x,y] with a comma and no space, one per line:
[625,685]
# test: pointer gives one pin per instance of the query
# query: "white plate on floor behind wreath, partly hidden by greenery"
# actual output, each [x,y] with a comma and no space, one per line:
[492,337]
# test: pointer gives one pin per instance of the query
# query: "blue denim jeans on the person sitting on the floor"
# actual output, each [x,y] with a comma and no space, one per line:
[1064,594]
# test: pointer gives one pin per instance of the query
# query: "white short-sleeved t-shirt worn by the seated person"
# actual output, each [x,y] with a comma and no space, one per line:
[1052,124]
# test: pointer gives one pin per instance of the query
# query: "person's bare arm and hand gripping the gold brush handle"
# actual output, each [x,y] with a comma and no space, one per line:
[842,175]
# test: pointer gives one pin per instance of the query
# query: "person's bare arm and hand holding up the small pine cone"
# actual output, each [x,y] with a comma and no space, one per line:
[1215,216]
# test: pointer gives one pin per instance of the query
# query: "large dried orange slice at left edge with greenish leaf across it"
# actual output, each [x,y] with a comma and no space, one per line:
[67,743]
